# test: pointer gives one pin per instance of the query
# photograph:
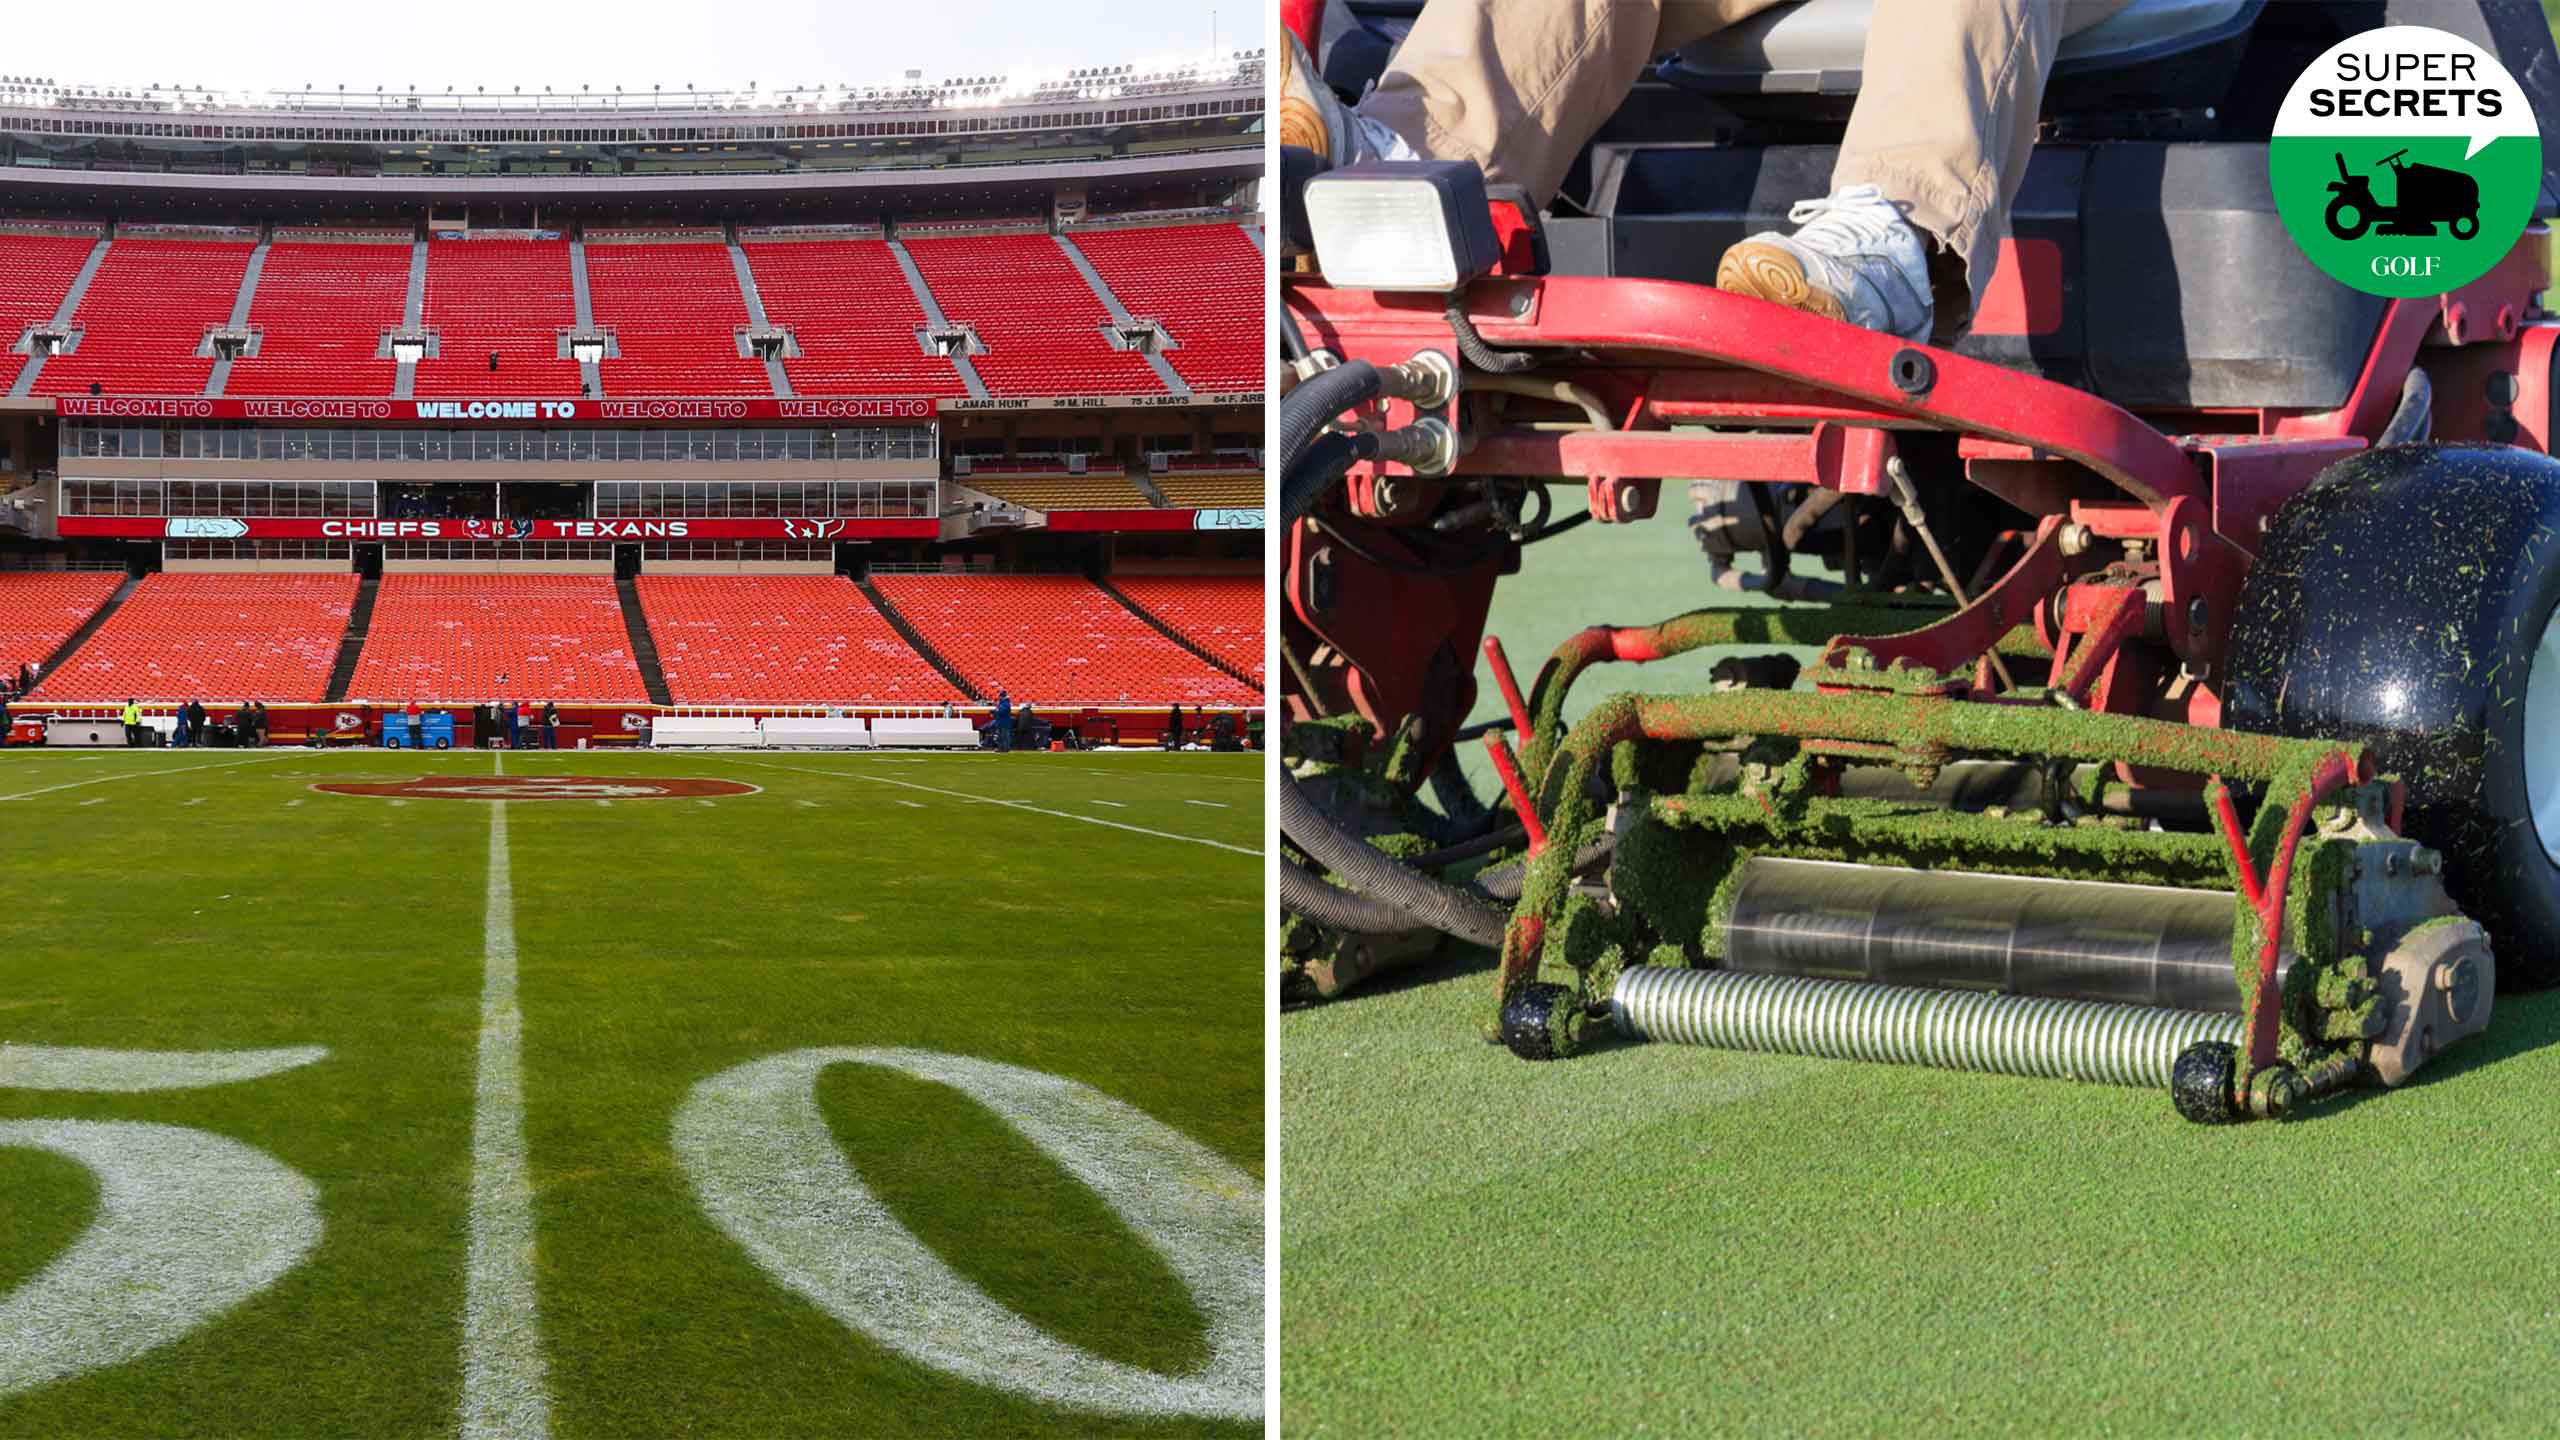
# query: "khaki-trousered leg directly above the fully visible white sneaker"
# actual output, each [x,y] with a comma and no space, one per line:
[1947,122]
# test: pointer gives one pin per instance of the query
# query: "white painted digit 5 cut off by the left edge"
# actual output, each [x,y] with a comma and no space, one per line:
[188,1223]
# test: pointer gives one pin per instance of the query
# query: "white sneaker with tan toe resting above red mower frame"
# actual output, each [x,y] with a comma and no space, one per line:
[1852,258]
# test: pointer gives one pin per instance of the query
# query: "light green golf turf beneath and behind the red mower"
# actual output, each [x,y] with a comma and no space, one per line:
[1683,1241]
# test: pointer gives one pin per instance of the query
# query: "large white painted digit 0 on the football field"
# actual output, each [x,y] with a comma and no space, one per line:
[772,1175]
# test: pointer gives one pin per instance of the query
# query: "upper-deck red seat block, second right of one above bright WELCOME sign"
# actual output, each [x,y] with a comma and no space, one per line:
[854,316]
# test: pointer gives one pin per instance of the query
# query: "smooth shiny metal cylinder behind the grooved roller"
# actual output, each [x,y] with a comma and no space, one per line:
[2121,944]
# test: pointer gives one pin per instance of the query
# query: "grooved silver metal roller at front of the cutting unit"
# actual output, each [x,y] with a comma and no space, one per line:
[1947,1029]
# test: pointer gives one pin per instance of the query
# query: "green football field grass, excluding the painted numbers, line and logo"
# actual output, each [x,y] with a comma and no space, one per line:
[201,903]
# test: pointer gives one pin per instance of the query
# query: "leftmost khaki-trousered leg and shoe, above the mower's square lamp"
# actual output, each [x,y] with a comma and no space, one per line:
[1514,86]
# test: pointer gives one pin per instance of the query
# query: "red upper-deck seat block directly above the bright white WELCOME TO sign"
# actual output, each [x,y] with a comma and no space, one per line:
[500,296]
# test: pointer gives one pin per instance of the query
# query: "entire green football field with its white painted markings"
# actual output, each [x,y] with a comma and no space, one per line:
[874,1095]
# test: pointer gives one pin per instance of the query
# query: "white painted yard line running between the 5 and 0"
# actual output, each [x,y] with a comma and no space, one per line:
[503,1344]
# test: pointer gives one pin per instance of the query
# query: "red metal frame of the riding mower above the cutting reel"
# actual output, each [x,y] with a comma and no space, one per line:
[1796,398]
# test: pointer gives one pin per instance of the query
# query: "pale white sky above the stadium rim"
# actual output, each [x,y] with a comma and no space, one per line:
[641,45]
